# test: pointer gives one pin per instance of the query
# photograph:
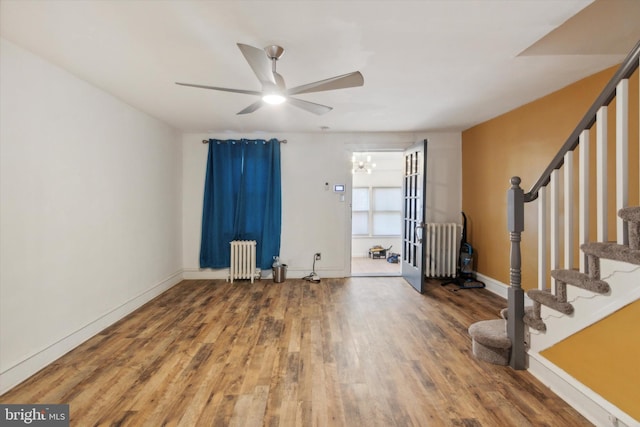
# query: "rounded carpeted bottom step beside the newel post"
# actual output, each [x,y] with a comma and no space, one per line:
[490,341]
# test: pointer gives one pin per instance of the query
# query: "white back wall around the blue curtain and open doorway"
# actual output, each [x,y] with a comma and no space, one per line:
[313,219]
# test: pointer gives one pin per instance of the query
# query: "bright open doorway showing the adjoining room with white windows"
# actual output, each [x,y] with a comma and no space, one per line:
[376,213]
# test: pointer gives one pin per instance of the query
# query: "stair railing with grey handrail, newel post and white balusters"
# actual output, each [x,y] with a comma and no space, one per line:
[549,182]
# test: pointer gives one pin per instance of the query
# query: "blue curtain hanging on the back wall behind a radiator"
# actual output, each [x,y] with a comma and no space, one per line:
[242,200]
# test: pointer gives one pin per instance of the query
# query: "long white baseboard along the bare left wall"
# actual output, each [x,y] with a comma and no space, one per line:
[19,372]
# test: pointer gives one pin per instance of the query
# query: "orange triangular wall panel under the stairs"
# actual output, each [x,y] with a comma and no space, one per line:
[604,357]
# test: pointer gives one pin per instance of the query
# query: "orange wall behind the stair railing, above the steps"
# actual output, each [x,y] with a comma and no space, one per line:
[521,143]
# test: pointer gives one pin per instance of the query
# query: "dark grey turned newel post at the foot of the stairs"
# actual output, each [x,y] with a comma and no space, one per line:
[515,315]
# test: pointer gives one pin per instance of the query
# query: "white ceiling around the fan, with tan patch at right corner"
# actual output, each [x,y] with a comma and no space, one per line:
[428,65]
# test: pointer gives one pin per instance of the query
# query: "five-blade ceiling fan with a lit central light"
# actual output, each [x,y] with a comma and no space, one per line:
[274,91]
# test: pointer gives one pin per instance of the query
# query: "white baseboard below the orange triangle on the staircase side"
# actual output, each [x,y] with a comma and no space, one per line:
[584,400]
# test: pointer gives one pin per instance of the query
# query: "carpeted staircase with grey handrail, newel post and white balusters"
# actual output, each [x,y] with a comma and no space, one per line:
[506,340]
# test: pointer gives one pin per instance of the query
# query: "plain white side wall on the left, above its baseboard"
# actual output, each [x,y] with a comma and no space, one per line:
[90,212]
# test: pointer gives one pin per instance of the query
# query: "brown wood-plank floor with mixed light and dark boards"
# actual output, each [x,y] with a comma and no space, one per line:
[343,352]
